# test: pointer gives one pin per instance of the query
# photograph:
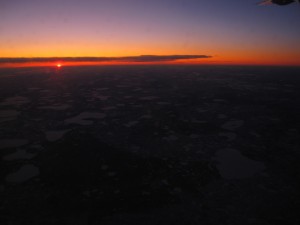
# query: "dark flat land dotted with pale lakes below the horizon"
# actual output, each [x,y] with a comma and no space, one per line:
[153,145]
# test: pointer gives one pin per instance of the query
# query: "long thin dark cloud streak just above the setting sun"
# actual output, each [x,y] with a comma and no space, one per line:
[141,58]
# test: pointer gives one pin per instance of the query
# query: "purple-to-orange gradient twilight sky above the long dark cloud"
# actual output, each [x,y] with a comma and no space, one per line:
[229,32]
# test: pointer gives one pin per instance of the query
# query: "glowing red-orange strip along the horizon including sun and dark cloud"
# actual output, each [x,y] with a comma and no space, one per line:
[150,59]
